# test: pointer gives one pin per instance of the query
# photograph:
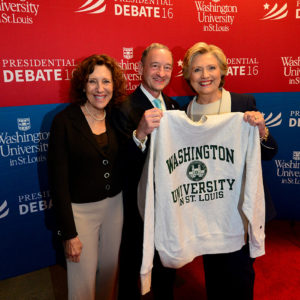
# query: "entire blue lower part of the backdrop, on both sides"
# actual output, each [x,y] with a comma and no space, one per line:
[26,215]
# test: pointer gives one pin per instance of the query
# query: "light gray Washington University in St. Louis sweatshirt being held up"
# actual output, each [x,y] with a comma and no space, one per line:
[201,191]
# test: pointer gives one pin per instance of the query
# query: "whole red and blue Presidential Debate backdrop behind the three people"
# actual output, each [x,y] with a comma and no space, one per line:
[41,42]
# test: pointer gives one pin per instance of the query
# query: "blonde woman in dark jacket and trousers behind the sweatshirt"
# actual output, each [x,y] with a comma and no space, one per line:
[229,275]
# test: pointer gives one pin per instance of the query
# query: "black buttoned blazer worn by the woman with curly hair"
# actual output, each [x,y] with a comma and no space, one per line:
[80,171]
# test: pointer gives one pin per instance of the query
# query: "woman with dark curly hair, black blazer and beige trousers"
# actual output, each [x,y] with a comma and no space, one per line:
[84,173]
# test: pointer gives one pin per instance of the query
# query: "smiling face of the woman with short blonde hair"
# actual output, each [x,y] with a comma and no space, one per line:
[205,76]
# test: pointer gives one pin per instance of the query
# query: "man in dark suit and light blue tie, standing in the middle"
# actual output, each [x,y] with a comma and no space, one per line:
[135,119]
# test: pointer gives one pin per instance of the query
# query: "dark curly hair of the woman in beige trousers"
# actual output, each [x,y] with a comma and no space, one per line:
[86,67]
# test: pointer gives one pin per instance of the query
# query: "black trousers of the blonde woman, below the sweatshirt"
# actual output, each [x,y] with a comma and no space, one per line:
[229,275]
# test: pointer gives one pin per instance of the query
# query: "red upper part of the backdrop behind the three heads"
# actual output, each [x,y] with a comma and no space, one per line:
[41,41]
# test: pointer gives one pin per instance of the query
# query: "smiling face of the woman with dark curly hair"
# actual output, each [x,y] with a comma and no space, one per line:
[99,88]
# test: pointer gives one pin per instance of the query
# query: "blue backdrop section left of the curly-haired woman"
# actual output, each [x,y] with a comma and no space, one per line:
[26,217]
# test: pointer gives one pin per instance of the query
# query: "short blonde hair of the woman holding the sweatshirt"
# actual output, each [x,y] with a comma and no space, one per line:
[202,48]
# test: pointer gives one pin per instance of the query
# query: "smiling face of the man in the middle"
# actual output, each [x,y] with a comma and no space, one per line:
[157,70]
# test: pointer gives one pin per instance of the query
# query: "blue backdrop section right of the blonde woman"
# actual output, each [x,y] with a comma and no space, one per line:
[282,114]
